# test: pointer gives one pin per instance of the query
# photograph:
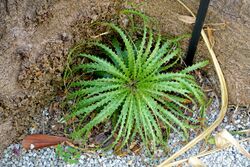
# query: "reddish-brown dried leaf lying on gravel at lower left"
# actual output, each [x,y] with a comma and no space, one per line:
[37,141]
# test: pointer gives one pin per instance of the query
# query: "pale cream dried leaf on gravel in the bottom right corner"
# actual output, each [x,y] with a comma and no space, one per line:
[224,138]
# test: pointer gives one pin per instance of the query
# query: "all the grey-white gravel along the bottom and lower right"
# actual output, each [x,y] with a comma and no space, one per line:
[237,119]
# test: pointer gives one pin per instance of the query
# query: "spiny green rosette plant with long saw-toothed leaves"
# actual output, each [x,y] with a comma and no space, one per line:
[133,82]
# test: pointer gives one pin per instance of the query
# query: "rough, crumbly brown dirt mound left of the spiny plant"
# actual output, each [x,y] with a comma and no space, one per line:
[34,40]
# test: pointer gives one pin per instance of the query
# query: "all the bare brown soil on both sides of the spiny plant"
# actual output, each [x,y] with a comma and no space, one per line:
[35,36]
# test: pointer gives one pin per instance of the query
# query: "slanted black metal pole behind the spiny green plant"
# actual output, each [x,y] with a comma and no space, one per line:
[202,11]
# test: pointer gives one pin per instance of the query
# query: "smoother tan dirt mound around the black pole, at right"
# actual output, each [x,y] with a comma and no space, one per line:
[232,45]
